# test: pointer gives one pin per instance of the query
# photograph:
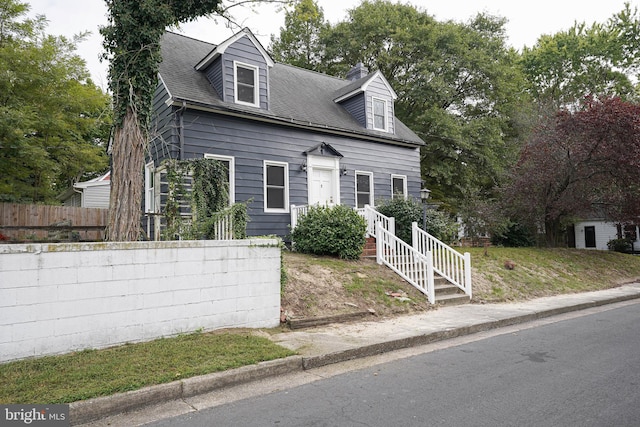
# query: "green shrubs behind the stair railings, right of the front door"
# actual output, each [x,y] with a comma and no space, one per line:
[406,211]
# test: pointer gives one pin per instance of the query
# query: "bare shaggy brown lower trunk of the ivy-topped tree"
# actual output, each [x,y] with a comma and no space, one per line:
[127,173]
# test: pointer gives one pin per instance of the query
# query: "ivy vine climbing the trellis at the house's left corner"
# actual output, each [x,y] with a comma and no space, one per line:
[198,198]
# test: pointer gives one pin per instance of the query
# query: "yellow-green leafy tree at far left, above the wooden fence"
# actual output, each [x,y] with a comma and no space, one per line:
[54,122]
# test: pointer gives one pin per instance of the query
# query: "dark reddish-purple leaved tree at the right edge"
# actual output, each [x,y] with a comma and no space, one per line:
[578,163]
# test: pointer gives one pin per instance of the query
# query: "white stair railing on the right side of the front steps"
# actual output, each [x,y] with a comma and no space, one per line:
[447,262]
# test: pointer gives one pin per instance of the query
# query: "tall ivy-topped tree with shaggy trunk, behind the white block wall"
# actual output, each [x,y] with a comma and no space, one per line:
[132,45]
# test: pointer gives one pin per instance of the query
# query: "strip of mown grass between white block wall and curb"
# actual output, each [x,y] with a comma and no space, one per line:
[92,373]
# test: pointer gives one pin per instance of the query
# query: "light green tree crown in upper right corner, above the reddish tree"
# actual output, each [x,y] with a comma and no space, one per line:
[596,60]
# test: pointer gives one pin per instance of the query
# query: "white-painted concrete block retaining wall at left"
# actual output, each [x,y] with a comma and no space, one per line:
[57,298]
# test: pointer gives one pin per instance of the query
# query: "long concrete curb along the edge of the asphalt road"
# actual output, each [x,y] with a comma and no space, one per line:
[94,409]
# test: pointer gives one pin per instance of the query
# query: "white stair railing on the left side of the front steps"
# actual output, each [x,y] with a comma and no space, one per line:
[413,266]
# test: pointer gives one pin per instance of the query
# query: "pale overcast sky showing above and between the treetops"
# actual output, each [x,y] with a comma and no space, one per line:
[526,20]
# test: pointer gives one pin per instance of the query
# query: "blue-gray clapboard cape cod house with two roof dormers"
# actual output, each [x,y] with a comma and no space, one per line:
[288,136]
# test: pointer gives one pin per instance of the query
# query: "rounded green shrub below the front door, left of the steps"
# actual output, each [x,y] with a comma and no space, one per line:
[337,230]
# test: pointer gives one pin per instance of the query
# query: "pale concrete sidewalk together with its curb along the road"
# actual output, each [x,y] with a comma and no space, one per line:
[341,342]
